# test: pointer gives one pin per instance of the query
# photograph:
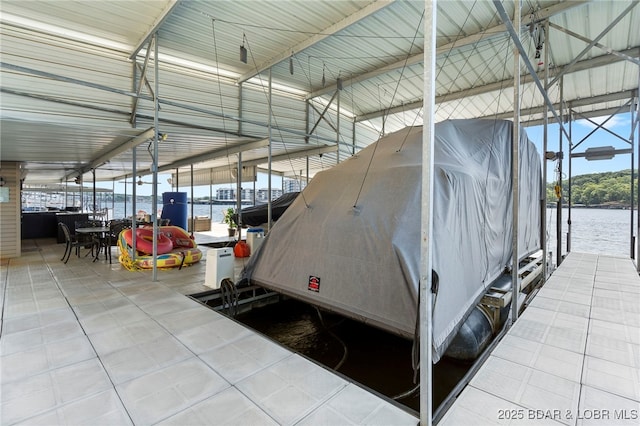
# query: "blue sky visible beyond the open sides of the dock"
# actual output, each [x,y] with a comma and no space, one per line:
[619,124]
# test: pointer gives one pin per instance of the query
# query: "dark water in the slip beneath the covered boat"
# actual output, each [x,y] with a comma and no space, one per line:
[374,358]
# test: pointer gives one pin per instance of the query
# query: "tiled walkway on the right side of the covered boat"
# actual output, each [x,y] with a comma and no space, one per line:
[572,358]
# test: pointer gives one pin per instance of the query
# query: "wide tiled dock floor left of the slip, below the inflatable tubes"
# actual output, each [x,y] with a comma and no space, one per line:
[92,343]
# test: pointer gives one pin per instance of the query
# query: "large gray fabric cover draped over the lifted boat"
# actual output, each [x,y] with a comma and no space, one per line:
[364,261]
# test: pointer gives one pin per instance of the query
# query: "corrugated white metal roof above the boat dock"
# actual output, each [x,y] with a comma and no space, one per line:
[69,86]
